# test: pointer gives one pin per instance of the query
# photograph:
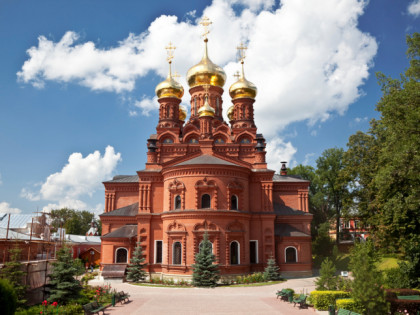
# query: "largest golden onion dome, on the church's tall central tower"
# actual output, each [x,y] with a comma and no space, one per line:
[206,72]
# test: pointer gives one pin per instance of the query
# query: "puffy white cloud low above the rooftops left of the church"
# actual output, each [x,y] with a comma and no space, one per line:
[80,177]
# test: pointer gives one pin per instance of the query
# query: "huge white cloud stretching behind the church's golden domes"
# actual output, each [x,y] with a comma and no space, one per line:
[307,58]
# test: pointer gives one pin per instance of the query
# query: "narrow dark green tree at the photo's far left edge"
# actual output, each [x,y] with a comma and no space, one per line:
[13,272]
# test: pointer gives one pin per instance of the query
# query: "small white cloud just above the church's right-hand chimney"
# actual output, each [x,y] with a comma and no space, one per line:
[277,151]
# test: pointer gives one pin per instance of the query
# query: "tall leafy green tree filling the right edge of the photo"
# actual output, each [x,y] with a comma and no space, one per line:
[383,164]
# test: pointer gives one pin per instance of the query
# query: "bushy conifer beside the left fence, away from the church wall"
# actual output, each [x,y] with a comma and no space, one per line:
[64,286]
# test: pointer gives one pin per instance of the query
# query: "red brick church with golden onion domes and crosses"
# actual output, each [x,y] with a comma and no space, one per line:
[204,174]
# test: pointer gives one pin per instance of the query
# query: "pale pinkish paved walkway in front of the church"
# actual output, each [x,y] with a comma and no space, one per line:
[221,300]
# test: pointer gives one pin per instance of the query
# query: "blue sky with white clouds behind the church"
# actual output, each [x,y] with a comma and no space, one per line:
[77,82]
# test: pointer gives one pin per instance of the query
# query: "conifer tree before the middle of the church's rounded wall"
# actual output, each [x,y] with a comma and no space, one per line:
[205,272]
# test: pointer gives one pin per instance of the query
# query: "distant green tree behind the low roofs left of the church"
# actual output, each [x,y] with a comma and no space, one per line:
[74,221]
